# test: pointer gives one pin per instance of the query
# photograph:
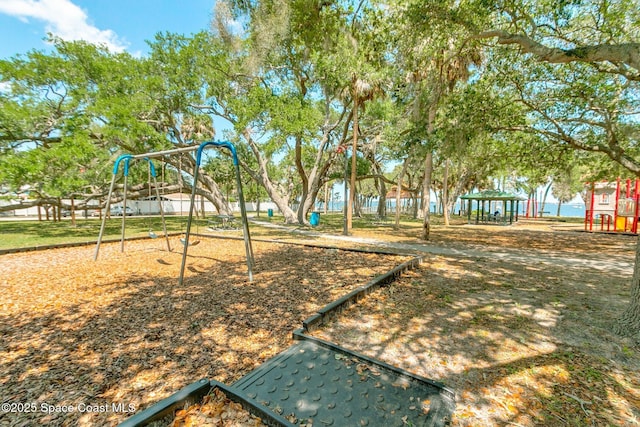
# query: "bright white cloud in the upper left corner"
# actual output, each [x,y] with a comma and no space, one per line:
[63,19]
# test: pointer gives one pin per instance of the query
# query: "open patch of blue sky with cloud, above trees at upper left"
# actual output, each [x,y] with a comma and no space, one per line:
[123,25]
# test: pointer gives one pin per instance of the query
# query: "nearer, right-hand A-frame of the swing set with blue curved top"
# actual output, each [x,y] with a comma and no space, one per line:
[243,211]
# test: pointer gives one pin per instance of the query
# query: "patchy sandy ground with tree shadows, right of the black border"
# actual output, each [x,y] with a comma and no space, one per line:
[523,342]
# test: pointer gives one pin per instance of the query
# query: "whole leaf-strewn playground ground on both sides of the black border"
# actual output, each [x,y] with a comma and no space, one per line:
[508,317]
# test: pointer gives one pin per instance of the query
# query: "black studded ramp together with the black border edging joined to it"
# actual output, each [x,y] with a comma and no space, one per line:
[317,383]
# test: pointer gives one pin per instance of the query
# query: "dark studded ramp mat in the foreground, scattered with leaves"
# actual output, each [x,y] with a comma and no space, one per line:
[317,383]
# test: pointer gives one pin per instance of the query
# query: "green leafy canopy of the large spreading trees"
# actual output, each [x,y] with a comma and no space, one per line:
[446,75]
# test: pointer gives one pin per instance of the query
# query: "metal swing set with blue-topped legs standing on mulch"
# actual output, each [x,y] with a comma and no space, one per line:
[126,158]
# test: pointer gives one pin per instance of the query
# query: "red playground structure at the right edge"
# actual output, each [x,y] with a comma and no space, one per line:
[616,209]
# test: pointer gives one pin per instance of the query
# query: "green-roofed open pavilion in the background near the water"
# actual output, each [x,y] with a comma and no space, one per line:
[493,207]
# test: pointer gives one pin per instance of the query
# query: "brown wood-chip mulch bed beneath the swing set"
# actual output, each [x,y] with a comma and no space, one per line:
[85,342]
